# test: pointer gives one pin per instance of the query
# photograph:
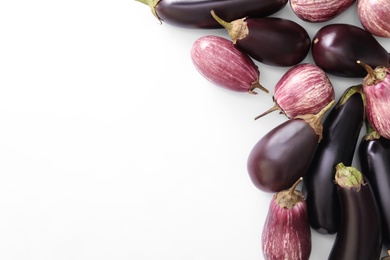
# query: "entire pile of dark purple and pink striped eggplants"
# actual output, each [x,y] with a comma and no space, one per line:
[316,145]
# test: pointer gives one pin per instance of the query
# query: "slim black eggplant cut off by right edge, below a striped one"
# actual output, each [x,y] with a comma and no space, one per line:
[374,157]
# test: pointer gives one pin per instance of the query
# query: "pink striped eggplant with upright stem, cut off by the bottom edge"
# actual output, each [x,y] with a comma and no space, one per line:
[286,232]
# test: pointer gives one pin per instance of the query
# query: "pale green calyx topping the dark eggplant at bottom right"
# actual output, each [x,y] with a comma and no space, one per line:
[348,177]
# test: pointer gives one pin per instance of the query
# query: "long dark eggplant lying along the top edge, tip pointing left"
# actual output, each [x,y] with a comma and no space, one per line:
[196,13]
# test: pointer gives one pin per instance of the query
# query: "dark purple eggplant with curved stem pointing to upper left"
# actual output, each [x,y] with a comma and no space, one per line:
[269,40]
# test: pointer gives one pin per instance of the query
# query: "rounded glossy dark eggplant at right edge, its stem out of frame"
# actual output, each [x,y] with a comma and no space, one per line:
[337,47]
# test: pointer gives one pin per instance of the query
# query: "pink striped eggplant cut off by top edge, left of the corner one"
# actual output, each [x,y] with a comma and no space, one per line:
[319,11]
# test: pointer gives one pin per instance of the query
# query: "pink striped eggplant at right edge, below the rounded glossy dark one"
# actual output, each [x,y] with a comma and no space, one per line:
[378,104]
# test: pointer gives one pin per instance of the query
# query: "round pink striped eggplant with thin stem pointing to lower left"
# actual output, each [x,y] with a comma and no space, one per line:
[303,89]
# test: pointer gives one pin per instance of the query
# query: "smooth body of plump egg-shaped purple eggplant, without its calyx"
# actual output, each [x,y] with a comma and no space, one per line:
[281,156]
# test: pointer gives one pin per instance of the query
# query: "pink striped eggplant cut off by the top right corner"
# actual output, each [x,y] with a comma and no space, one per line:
[374,16]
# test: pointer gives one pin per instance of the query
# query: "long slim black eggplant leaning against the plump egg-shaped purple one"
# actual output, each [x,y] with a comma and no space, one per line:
[341,131]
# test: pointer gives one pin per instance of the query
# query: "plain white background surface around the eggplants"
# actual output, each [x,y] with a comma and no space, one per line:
[112,146]
